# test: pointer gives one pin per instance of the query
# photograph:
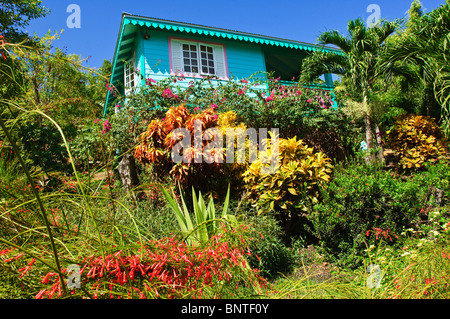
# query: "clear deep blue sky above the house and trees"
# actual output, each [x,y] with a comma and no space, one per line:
[296,20]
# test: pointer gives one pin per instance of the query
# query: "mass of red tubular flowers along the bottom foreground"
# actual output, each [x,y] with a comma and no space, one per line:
[166,268]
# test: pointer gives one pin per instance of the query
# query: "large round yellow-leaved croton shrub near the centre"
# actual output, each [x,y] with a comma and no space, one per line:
[294,182]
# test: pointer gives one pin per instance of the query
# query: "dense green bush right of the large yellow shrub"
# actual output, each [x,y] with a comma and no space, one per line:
[362,205]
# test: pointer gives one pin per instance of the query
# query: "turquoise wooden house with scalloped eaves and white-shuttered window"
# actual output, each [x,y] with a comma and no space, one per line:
[160,48]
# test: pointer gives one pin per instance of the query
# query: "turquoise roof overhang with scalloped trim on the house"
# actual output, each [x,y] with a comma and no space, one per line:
[130,24]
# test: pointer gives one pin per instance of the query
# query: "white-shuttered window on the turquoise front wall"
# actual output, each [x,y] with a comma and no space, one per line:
[198,58]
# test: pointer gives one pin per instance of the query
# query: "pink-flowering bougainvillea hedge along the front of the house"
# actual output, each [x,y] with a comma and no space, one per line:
[308,109]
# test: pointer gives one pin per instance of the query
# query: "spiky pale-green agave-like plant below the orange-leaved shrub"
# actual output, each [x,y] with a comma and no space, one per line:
[205,224]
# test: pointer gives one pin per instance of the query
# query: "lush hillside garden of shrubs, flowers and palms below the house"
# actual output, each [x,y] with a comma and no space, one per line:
[357,206]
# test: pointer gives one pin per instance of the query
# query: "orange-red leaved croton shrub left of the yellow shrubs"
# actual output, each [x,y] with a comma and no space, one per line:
[161,139]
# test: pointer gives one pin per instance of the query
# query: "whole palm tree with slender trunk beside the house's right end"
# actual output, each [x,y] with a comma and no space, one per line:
[361,63]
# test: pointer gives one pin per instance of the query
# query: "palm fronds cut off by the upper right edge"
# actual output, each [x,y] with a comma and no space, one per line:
[427,46]
